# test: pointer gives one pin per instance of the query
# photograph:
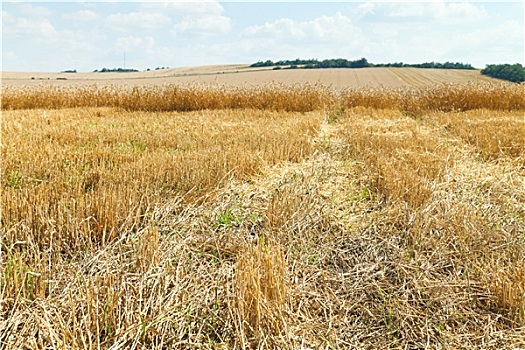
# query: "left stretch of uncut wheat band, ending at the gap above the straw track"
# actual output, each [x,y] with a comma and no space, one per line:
[189,97]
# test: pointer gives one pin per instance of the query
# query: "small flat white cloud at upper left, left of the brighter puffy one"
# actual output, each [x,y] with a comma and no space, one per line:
[144,20]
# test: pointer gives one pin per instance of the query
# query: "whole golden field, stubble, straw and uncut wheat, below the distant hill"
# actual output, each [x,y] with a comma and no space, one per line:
[264,216]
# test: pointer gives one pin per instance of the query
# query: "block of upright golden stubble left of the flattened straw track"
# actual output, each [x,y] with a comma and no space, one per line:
[87,175]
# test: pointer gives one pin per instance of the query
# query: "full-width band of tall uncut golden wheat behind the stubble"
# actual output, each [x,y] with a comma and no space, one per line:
[298,97]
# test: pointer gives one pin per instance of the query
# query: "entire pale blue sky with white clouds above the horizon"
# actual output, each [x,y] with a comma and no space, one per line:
[57,36]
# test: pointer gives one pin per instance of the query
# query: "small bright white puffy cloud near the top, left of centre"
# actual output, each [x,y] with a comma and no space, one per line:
[202,25]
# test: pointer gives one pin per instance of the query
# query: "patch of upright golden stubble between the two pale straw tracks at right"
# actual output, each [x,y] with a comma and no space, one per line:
[404,158]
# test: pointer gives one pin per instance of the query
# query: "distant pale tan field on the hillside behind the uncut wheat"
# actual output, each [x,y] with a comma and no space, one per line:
[243,75]
